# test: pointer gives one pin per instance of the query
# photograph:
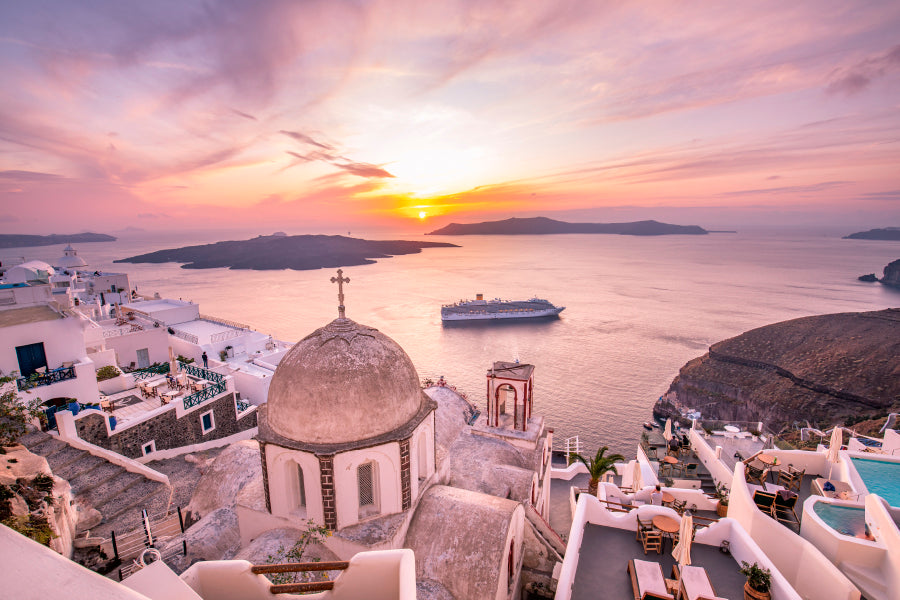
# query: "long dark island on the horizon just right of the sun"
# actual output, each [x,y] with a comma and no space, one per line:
[546,226]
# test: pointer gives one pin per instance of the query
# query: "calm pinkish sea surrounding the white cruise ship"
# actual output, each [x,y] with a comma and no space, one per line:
[636,310]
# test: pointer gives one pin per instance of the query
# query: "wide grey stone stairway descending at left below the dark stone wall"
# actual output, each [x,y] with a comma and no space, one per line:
[118,494]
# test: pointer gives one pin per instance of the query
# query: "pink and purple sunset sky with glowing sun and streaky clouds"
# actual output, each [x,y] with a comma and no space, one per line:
[406,115]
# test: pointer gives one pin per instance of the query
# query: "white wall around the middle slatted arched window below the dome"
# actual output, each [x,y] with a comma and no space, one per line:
[346,489]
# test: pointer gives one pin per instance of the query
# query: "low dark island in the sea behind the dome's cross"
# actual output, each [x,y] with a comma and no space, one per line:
[274,252]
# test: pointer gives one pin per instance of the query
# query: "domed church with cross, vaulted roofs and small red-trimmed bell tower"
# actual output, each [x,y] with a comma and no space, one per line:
[349,440]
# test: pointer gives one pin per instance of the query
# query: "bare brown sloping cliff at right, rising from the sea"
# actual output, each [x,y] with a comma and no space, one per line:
[822,368]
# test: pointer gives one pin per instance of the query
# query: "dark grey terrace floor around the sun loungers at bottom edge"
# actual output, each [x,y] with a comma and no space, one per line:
[605,552]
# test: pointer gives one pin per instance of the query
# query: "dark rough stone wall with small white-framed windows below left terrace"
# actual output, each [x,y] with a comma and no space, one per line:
[166,429]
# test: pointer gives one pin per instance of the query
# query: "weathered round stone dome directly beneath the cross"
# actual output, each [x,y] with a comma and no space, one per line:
[344,382]
